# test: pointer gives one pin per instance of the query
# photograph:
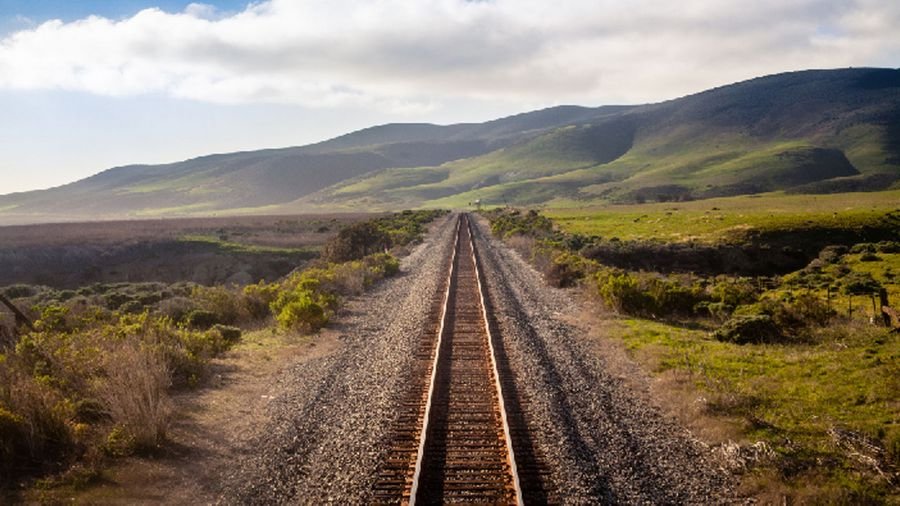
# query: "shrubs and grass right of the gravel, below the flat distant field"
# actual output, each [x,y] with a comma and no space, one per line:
[804,361]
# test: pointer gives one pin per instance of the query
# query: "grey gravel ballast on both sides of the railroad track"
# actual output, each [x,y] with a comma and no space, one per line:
[602,440]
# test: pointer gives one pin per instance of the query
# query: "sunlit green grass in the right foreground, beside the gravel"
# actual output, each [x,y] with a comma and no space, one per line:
[794,396]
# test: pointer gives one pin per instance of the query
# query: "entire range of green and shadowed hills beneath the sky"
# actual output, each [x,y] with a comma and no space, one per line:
[810,131]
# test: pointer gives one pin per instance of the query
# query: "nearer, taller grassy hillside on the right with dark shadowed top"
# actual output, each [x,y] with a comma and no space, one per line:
[806,132]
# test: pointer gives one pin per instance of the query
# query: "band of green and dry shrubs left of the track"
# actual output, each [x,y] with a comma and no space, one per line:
[93,379]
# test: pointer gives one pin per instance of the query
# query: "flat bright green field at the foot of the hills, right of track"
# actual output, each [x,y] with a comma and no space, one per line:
[728,219]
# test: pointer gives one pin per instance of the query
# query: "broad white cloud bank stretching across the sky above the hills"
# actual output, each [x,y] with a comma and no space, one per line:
[407,55]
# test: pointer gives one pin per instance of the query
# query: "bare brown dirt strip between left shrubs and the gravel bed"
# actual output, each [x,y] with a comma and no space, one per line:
[211,431]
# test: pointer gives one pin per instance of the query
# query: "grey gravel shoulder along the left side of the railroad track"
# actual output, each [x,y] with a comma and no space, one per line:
[329,423]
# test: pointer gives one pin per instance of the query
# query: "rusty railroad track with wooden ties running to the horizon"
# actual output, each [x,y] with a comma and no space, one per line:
[460,436]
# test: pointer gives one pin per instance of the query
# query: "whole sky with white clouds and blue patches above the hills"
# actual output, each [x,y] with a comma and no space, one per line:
[86,85]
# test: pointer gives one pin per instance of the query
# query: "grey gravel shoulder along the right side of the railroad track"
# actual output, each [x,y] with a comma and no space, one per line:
[590,412]
